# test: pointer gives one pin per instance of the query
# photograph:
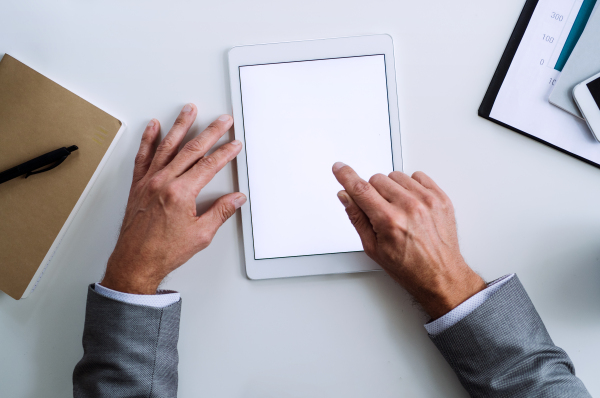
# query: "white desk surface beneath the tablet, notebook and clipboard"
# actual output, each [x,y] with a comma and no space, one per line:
[521,206]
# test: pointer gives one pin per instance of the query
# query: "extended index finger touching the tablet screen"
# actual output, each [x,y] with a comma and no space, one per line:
[363,193]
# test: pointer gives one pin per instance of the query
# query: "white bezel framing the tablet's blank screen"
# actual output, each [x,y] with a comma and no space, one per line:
[305,51]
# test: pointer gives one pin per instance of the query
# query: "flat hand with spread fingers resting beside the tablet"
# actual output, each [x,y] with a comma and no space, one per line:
[161,229]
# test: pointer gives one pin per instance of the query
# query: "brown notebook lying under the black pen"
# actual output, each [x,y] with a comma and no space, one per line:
[38,116]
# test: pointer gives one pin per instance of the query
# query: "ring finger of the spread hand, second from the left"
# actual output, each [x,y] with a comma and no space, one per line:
[167,149]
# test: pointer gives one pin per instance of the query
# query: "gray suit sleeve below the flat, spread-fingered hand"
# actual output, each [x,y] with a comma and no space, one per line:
[128,350]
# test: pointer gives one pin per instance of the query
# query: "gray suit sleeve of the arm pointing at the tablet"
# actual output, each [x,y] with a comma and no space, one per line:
[502,349]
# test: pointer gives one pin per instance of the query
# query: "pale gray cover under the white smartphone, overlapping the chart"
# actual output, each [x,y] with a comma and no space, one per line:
[583,63]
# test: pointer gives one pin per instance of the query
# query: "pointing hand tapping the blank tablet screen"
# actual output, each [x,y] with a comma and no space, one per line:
[407,225]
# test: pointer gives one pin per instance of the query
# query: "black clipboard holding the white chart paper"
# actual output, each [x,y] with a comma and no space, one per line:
[517,97]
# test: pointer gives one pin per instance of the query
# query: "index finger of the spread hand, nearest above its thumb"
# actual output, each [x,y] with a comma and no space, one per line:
[205,169]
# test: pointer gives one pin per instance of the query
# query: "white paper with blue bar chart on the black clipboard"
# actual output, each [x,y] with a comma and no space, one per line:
[522,100]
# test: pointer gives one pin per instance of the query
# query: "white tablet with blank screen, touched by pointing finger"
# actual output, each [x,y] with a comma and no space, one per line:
[298,108]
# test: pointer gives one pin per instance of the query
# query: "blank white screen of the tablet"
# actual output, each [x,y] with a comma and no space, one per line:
[299,119]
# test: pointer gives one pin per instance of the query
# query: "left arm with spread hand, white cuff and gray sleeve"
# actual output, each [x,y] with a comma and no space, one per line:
[130,336]
